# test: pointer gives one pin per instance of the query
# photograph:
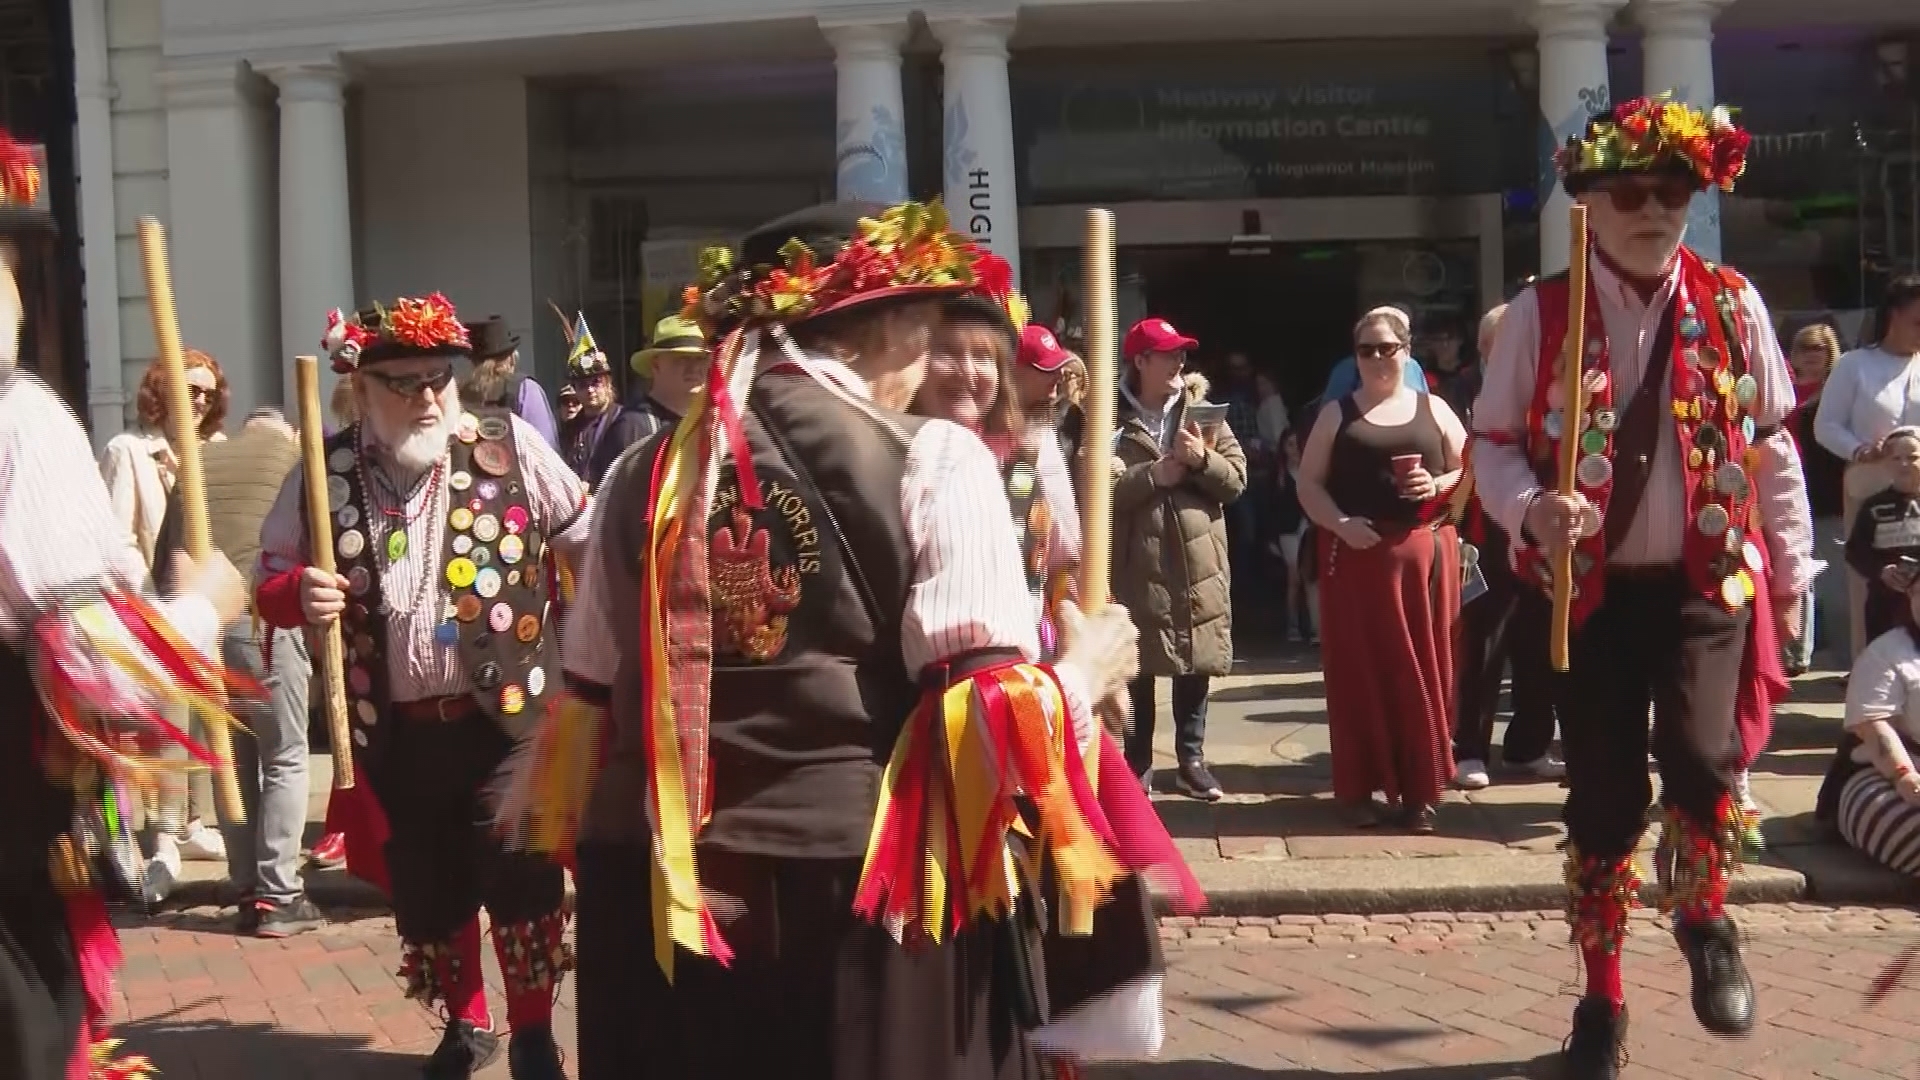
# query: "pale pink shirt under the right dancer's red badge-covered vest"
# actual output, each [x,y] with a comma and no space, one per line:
[1506,479]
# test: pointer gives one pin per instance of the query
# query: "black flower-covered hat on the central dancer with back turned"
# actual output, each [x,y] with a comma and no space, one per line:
[832,258]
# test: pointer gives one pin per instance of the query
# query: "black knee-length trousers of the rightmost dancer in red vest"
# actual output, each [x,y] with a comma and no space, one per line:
[1652,641]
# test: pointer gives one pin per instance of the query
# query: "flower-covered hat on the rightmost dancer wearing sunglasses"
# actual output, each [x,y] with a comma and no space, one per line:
[1656,135]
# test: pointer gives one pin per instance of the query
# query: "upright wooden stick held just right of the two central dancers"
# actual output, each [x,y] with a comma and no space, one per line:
[1097,447]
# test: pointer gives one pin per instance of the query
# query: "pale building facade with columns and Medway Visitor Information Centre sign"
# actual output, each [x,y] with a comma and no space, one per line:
[1276,164]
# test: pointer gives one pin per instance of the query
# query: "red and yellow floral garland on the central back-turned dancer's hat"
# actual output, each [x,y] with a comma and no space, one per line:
[907,247]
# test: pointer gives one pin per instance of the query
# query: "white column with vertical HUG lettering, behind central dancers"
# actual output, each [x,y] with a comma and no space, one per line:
[980,134]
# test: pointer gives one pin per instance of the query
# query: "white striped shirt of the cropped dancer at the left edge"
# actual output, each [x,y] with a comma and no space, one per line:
[59,533]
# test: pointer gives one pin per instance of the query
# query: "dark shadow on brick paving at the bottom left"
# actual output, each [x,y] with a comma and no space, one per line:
[216,1048]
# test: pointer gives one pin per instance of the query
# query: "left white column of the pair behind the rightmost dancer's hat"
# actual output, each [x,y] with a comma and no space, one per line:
[1573,87]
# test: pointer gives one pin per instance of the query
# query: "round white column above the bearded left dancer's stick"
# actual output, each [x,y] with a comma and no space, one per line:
[316,218]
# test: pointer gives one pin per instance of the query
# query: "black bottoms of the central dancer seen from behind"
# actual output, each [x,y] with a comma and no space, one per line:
[813,993]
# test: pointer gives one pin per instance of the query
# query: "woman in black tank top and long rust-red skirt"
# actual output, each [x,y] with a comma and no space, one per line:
[1376,478]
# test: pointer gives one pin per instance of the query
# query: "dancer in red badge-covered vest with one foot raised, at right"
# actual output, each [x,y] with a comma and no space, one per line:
[1683,468]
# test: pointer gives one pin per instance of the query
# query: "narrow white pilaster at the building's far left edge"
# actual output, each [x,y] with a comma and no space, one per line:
[93,91]
